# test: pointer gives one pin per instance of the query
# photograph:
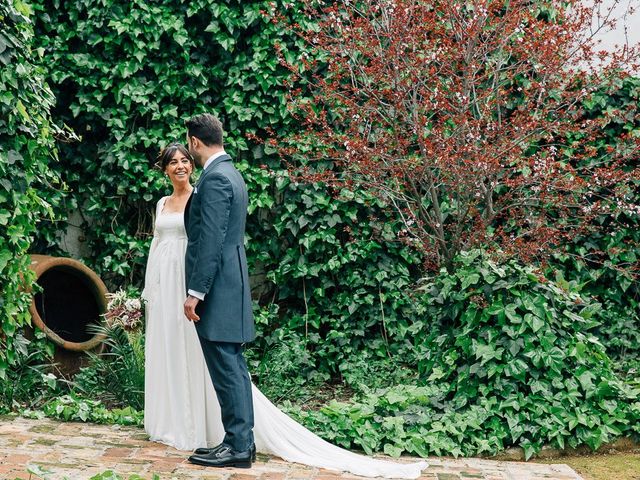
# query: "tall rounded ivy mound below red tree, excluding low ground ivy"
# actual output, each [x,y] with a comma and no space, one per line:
[519,341]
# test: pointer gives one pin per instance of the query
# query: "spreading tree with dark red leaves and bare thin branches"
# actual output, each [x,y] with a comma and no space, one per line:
[465,118]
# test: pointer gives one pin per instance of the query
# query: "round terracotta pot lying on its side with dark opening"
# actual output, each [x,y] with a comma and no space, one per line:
[72,298]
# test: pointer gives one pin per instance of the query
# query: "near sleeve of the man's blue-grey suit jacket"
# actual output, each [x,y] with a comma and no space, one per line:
[215,204]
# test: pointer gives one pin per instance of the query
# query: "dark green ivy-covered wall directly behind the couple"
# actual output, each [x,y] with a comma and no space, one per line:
[127,73]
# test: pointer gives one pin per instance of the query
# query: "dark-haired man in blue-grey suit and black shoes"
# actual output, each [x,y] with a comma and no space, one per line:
[219,297]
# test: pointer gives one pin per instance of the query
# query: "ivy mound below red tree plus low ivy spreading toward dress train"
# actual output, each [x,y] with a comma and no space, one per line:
[506,360]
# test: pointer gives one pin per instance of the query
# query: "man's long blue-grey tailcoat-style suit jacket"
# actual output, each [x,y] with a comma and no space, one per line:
[216,263]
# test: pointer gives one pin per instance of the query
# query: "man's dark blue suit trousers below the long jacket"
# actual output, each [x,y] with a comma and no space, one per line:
[230,377]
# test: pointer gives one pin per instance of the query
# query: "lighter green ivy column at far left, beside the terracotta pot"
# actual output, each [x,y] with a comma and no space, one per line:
[29,183]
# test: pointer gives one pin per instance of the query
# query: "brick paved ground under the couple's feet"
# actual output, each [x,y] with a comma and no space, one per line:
[79,451]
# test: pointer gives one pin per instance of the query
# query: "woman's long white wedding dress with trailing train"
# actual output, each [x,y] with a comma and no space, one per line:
[181,407]
